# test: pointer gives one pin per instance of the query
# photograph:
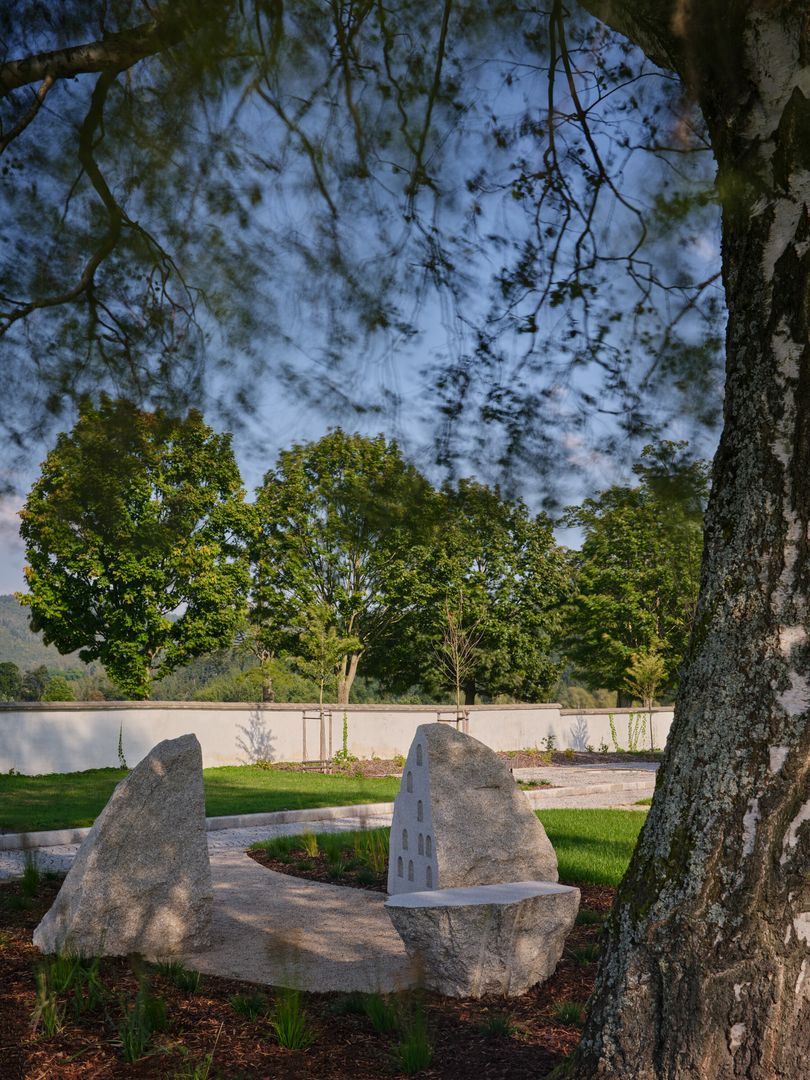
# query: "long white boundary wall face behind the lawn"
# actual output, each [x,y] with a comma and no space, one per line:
[76,736]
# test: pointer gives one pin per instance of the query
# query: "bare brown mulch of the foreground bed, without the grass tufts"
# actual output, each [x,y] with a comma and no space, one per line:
[347,1048]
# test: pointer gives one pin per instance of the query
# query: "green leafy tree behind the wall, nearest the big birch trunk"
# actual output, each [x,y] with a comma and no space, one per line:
[639,570]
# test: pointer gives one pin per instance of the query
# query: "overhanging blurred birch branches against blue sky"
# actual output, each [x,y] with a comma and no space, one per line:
[306,186]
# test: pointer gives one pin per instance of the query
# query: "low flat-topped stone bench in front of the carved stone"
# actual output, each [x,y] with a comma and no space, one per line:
[496,939]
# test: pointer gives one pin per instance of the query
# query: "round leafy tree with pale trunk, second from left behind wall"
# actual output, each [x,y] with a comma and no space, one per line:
[340,524]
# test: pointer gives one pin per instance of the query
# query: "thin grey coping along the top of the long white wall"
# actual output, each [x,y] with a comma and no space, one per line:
[285,707]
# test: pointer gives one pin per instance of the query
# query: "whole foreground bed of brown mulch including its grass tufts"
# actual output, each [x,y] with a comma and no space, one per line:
[65,1018]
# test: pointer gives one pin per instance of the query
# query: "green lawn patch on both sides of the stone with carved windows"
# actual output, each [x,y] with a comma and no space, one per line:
[593,847]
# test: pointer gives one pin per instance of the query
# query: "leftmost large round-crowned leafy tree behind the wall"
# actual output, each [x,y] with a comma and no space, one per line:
[134,537]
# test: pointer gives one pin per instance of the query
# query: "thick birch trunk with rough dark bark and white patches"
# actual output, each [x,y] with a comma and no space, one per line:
[706,974]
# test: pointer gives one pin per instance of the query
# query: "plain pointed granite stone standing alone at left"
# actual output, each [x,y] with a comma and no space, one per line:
[141,882]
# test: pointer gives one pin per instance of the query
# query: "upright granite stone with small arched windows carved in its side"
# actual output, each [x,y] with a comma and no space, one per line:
[461,819]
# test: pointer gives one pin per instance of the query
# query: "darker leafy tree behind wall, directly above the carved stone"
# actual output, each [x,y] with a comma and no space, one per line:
[496,569]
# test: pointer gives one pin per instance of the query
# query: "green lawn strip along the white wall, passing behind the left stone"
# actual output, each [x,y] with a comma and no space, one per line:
[70,801]
